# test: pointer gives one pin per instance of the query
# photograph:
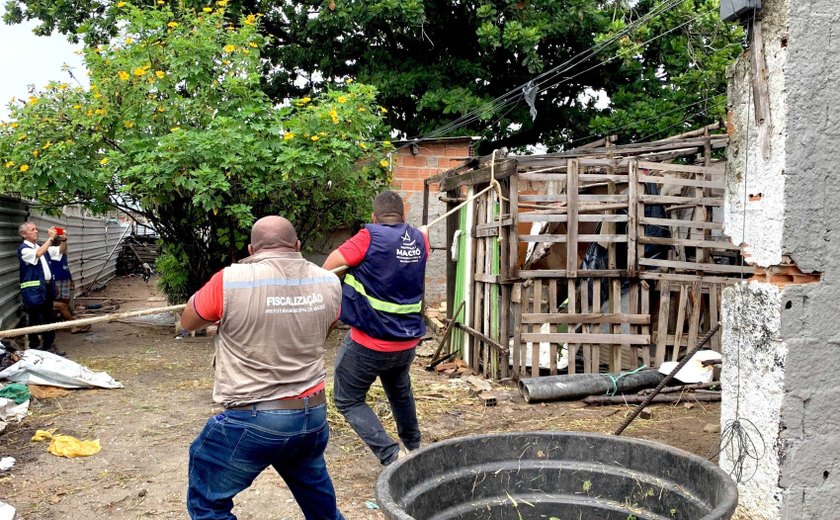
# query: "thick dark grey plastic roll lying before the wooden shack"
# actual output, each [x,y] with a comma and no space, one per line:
[577,386]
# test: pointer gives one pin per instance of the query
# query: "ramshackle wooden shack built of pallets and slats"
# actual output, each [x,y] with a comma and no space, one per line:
[602,258]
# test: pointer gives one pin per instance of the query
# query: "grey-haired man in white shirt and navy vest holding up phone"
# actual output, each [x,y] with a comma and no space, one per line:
[36,282]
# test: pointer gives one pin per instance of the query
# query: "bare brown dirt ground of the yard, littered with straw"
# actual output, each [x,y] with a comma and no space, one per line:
[145,428]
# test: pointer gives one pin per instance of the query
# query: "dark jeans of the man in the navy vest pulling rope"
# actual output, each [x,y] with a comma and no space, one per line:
[356,368]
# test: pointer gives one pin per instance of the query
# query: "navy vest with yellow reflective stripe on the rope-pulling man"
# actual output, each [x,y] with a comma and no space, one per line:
[383,296]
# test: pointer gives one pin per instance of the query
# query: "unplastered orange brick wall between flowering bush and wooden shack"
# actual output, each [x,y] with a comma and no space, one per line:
[413,163]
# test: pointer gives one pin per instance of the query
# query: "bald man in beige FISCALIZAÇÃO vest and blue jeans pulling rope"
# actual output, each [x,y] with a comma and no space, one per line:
[274,310]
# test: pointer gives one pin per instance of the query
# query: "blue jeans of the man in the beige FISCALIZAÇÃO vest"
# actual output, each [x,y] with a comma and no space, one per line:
[237,445]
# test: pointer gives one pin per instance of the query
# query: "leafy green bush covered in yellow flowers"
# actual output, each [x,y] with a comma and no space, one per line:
[176,127]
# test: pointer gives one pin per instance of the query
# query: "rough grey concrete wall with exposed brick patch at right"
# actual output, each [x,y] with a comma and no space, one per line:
[782,333]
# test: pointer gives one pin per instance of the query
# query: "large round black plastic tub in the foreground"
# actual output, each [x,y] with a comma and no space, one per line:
[554,476]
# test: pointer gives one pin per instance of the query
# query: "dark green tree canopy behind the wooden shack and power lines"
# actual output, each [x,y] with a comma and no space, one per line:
[435,60]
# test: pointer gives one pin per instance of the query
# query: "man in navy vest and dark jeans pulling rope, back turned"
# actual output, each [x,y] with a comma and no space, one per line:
[382,301]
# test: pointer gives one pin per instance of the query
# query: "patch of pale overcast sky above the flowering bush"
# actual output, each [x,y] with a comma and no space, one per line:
[26,59]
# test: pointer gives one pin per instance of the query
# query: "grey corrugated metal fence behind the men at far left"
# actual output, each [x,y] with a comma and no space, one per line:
[92,253]
